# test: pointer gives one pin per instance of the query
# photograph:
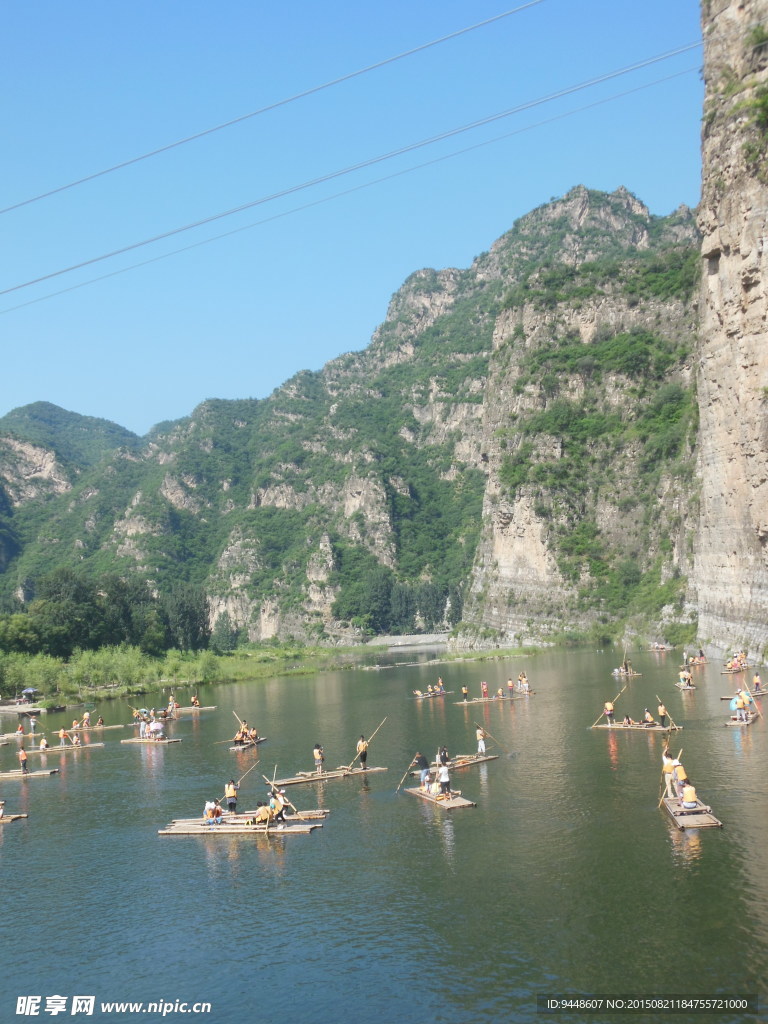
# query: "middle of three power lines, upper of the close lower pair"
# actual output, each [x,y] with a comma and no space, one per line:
[355,167]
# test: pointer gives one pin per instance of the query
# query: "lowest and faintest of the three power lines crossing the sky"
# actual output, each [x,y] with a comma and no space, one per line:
[348,192]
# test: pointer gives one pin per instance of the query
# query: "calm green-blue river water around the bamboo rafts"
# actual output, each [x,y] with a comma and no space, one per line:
[566,879]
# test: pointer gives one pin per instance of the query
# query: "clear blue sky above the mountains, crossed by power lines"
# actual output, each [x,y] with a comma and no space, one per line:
[90,86]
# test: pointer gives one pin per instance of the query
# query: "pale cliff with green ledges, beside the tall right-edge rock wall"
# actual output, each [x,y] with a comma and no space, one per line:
[545,483]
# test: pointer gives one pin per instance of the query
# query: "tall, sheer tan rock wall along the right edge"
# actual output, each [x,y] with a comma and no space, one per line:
[732,554]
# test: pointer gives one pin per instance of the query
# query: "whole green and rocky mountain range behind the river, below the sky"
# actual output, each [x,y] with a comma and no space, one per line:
[514,451]
